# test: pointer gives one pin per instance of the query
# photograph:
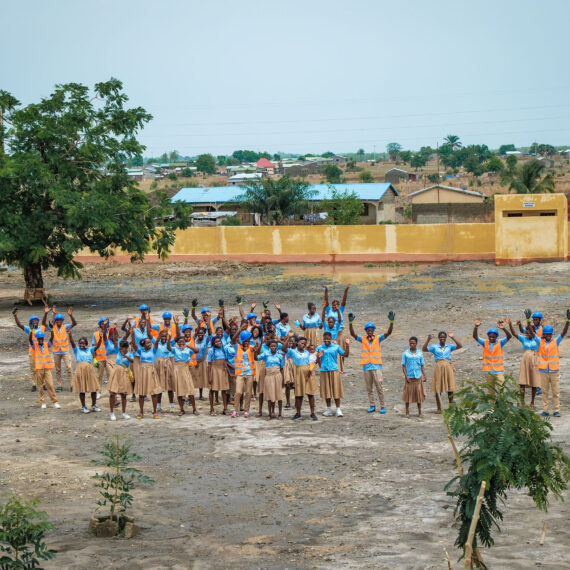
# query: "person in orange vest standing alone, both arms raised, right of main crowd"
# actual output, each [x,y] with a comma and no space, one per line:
[371,360]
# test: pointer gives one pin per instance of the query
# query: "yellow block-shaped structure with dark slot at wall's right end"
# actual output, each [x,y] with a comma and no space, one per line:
[531,236]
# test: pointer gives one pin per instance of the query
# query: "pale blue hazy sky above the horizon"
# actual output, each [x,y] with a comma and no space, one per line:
[306,76]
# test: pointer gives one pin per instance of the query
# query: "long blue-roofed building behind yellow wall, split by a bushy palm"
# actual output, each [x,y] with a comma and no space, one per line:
[379,200]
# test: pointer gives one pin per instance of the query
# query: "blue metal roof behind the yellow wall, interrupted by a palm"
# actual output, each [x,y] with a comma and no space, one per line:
[221,194]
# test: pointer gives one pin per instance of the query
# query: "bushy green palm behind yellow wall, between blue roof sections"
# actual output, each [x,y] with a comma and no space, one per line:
[276,199]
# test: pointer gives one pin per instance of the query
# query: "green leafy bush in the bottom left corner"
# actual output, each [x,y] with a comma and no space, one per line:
[22,533]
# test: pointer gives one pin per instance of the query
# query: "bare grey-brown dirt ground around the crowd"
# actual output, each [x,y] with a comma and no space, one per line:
[362,491]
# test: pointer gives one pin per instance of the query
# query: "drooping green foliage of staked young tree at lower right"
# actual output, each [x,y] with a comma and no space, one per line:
[505,445]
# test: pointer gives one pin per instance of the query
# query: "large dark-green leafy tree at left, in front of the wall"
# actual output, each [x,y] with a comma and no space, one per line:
[64,187]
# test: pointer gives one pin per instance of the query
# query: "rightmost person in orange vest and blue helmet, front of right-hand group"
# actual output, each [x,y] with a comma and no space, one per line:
[549,367]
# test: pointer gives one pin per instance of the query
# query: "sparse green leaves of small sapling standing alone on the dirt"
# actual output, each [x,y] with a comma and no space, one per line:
[116,484]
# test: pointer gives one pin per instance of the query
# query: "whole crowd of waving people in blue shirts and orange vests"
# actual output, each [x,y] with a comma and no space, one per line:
[263,357]
